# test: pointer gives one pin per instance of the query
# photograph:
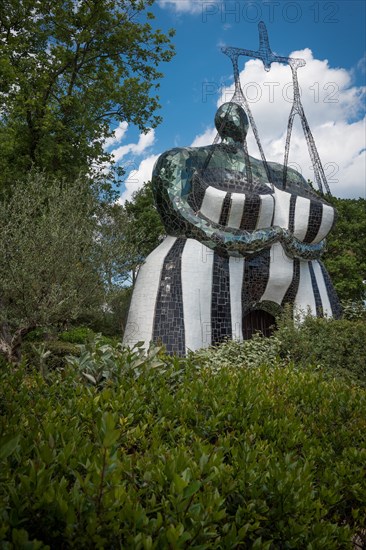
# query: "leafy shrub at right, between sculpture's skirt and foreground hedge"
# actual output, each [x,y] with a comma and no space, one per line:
[337,345]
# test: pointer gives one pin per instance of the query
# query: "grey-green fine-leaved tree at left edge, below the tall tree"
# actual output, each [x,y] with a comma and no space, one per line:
[49,269]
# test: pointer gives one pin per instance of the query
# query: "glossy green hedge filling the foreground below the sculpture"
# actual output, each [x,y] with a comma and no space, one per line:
[168,454]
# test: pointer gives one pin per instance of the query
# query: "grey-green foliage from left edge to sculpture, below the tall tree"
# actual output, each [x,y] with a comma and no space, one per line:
[64,258]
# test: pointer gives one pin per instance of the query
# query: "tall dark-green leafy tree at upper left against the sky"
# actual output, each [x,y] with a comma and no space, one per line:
[68,70]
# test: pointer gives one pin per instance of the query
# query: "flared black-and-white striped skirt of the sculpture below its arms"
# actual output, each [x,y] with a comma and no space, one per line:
[188,297]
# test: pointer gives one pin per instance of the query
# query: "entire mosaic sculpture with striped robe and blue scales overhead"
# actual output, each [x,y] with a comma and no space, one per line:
[244,236]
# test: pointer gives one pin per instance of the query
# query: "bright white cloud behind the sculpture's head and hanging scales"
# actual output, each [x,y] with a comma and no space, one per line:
[332,106]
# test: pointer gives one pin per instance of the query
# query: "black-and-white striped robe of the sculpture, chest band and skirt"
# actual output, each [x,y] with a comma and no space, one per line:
[188,296]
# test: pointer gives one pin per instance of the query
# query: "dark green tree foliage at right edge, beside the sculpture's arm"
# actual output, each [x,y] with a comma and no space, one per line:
[346,255]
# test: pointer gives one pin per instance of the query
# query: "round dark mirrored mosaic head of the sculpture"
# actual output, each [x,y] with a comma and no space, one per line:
[231,122]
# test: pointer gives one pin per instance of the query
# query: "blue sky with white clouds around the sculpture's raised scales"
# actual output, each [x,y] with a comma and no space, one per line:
[330,36]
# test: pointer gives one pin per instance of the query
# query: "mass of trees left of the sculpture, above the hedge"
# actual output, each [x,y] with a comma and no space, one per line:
[70,72]
